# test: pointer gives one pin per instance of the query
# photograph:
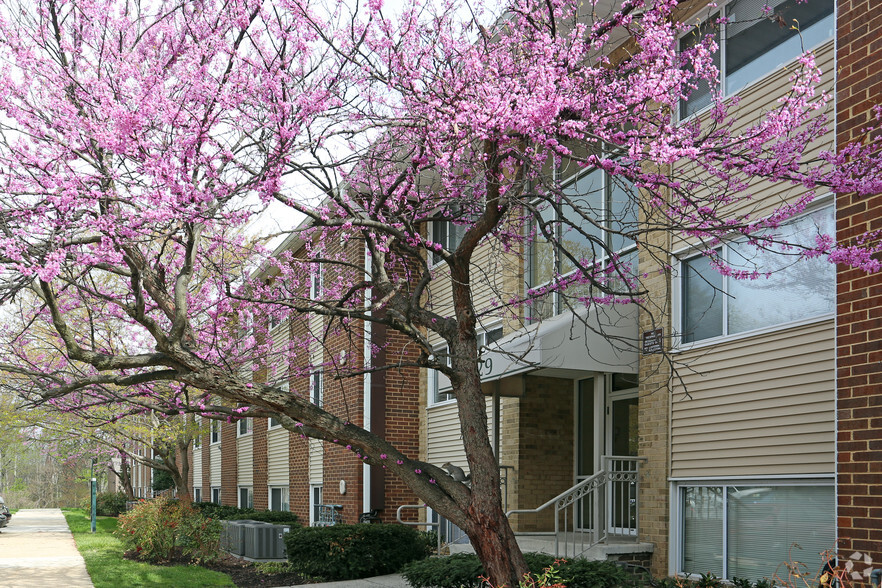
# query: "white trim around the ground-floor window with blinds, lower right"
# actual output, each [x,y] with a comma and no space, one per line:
[675,529]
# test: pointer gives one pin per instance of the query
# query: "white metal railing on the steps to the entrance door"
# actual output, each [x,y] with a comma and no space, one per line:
[595,509]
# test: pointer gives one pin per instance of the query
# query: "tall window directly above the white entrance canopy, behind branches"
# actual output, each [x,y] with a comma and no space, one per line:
[602,211]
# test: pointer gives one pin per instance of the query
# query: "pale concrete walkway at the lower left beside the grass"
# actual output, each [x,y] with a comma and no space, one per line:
[37,550]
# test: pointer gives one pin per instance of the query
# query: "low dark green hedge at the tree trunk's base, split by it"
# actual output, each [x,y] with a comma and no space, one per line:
[464,570]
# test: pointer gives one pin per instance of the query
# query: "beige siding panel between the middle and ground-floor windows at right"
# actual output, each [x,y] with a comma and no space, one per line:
[761,405]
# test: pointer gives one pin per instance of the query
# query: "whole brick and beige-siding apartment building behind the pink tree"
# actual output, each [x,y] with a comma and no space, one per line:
[767,434]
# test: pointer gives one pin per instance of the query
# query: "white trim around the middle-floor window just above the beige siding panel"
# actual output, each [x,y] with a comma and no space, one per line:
[687,253]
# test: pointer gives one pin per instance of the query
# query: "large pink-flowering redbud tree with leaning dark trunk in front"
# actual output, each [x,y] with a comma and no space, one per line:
[140,138]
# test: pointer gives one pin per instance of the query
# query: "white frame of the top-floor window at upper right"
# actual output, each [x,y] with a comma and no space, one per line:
[726,93]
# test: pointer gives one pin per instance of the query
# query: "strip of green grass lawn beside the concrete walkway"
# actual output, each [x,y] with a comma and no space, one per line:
[104,559]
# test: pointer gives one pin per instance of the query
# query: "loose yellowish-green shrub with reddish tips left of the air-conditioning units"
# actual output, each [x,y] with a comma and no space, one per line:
[165,529]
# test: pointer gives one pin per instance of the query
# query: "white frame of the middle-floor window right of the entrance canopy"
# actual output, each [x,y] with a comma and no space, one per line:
[677,290]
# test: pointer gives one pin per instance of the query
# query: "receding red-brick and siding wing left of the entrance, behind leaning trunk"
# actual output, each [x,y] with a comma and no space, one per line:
[257,463]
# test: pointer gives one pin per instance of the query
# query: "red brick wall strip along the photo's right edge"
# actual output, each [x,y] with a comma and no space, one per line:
[859,297]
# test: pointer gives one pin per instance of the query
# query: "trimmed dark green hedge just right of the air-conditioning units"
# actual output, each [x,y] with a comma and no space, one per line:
[347,552]
